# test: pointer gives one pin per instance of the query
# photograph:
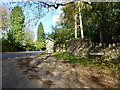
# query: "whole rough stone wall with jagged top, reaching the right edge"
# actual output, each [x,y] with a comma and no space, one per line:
[83,48]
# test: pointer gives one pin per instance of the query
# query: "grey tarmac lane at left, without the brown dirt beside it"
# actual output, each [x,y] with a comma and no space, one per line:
[12,76]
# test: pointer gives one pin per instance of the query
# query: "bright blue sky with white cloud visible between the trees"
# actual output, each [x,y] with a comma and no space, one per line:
[48,20]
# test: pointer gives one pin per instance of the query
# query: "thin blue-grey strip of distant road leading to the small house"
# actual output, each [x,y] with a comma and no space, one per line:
[18,54]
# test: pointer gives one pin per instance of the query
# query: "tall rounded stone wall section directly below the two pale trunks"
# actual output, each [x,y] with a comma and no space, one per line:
[78,47]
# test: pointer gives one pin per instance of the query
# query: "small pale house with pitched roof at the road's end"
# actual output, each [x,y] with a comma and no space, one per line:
[49,43]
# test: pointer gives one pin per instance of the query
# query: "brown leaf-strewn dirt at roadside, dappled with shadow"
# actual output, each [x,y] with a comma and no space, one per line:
[63,74]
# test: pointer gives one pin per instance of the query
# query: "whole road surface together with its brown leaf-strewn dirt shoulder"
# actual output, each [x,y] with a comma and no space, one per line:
[46,71]
